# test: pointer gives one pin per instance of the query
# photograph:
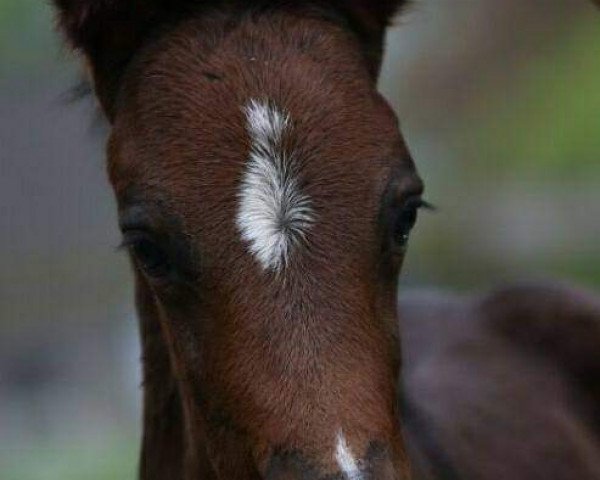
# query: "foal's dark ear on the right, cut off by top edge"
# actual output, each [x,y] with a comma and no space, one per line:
[370,19]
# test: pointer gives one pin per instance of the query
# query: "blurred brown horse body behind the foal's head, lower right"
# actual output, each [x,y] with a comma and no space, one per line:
[504,386]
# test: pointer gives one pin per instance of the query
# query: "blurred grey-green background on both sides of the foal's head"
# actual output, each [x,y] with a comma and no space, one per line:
[499,102]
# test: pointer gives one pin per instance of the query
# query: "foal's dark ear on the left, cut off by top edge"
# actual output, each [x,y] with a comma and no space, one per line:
[107,33]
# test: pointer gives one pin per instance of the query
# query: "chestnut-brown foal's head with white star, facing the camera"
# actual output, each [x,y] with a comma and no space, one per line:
[266,197]
